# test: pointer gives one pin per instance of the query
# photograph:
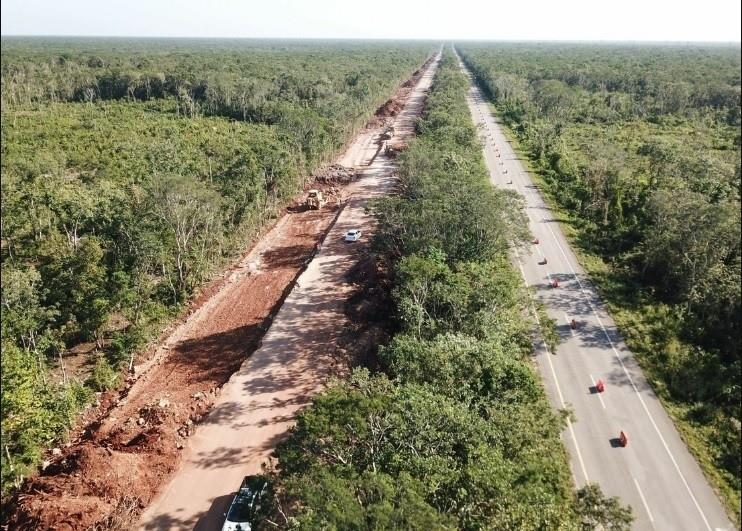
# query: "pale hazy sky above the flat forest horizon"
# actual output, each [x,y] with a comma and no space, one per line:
[610,20]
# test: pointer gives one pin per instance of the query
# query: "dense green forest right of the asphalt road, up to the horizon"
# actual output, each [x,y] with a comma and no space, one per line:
[638,148]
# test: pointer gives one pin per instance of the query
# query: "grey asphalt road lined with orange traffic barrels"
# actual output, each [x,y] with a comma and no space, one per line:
[655,473]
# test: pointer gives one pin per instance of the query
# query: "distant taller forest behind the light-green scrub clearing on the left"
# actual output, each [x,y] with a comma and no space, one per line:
[317,92]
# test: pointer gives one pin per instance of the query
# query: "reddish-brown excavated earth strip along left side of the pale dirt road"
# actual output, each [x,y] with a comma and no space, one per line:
[131,445]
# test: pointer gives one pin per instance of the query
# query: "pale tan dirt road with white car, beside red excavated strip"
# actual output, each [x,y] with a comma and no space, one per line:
[259,403]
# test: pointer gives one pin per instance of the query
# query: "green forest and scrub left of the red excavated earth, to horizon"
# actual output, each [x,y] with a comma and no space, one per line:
[114,211]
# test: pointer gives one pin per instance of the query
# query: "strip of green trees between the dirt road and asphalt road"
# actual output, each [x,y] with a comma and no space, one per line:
[454,431]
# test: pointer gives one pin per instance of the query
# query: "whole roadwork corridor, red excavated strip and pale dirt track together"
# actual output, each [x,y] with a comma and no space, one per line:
[128,447]
